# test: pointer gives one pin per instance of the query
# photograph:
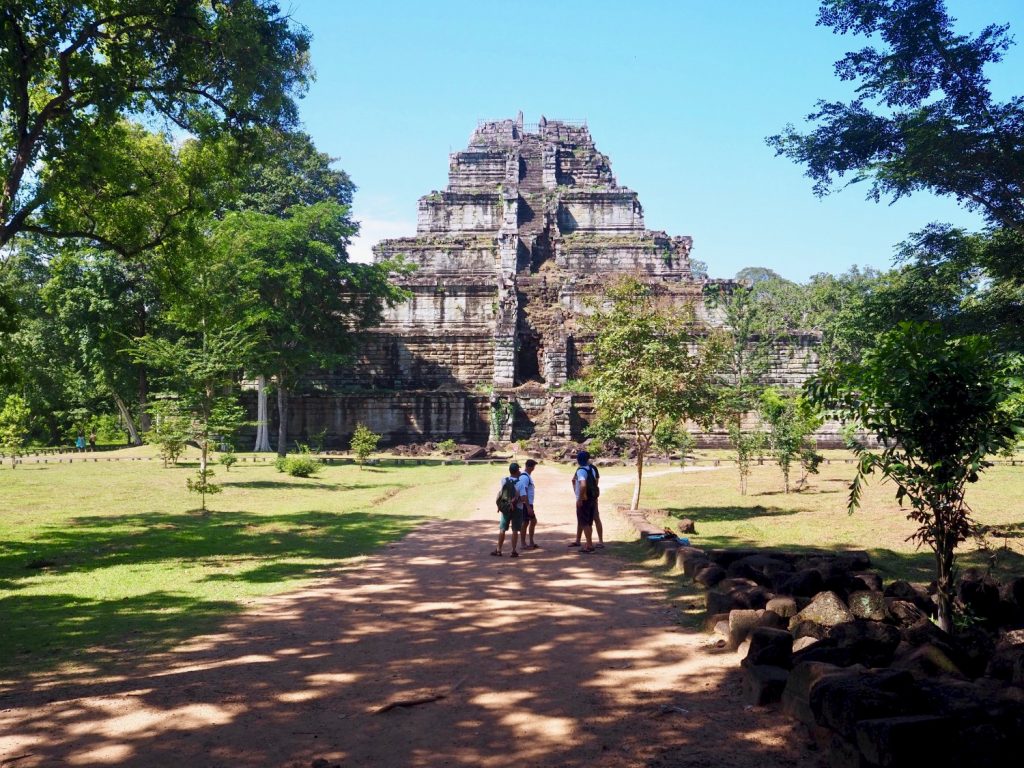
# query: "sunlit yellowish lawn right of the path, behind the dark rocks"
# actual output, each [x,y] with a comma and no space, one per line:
[817,518]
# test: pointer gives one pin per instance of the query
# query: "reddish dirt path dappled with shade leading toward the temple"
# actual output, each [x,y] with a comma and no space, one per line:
[557,659]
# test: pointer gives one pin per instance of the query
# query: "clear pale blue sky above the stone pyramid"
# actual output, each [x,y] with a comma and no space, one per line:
[680,96]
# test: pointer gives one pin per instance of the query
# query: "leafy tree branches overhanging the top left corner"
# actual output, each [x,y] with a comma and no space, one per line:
[73,70]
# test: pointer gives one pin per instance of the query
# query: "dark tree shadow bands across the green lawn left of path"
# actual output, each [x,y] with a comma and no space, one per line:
[254,549]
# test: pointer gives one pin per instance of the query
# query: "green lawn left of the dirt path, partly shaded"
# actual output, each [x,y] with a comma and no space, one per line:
[99,559]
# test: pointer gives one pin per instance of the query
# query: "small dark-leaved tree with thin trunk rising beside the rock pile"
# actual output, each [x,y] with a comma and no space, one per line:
[940,408]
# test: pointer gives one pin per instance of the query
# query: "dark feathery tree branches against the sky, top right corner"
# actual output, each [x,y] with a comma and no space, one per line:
[924,118]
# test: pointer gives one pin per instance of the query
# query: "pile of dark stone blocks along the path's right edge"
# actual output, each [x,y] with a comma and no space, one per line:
[861,663]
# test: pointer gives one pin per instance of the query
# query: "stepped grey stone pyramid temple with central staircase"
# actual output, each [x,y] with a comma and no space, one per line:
[532,224]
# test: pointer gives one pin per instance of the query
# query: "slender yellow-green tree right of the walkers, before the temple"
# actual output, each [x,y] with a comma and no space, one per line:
[651,368]
